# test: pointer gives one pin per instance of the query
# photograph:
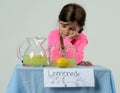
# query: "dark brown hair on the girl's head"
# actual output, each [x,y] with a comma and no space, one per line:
[73,12]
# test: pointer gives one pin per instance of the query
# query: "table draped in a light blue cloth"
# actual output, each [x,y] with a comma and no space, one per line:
[30,80]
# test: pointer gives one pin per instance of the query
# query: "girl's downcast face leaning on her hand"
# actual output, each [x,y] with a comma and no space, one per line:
[69,29]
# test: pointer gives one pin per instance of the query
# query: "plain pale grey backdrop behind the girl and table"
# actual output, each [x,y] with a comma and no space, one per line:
[24,18]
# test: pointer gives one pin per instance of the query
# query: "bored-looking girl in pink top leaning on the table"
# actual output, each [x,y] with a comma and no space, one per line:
[71,22]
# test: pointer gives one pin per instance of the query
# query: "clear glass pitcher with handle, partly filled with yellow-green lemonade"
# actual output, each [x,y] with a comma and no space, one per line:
[34,53]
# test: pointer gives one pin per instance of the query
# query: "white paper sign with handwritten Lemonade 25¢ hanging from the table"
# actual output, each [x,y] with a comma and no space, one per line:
[68,77]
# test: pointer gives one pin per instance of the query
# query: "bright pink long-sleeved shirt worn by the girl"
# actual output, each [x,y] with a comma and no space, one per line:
[80,42]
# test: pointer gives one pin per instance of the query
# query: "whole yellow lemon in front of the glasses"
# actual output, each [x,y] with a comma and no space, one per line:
[62,62]
